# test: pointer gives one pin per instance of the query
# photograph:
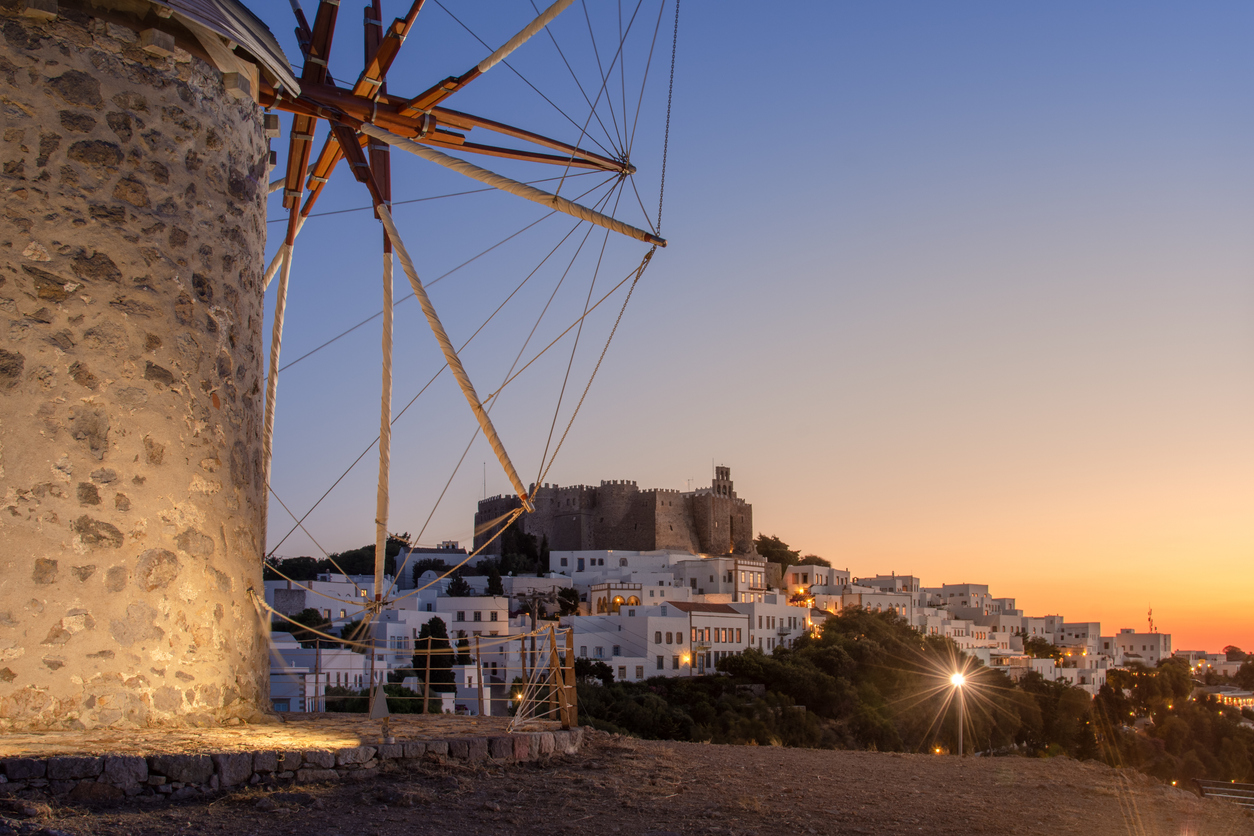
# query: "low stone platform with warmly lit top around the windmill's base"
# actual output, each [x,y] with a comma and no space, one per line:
[103,766]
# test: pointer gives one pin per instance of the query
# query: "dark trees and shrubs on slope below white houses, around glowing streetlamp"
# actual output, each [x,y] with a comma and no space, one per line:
[871,682]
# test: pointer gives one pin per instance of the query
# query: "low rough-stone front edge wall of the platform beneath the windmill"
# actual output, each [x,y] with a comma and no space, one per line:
[116,778]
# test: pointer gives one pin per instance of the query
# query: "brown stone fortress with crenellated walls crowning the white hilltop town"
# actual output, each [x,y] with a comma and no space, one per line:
[620,516]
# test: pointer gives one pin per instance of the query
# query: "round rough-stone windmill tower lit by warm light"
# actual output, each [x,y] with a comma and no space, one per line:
[131,244]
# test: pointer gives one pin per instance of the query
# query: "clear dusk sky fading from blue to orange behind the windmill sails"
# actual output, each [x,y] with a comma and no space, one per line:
[957,290]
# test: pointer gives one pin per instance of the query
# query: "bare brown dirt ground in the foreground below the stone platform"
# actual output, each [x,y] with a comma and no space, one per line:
[641,788]
